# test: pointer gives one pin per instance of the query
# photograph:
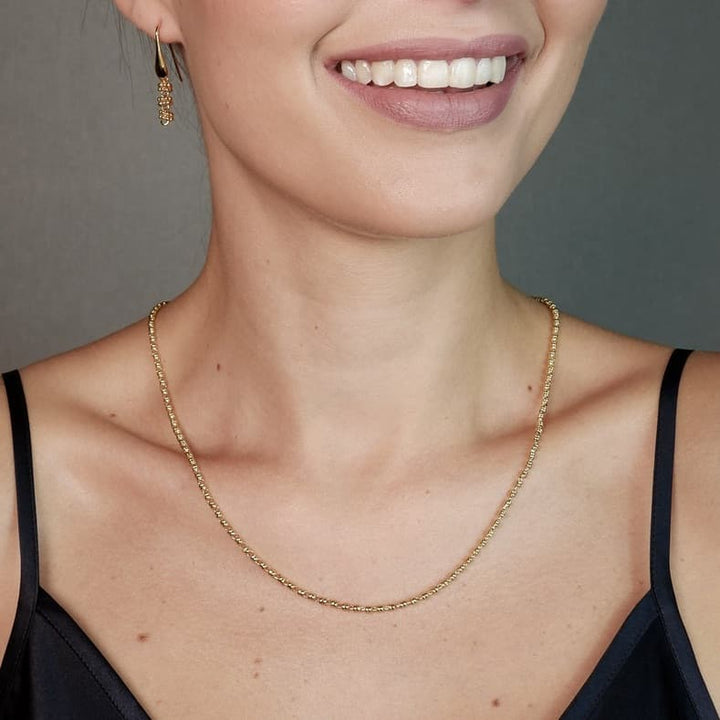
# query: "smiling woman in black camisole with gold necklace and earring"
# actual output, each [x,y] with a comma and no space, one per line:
[357,389]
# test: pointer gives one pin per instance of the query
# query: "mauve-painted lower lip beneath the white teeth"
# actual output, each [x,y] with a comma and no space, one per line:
[438,110]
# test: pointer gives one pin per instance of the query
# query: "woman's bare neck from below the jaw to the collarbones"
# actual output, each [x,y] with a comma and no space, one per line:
[332,345]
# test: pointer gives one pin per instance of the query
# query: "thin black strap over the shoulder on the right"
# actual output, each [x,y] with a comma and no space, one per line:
[663,477]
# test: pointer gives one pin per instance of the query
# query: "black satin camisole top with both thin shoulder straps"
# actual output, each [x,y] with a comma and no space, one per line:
[52,671]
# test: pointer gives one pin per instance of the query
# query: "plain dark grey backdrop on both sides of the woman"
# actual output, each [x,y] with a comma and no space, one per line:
[104,212]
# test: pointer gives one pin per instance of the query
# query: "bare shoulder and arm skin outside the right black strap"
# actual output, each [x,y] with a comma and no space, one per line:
[695,553]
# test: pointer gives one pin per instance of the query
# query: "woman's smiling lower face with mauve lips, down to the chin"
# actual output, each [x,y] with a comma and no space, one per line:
[275,108]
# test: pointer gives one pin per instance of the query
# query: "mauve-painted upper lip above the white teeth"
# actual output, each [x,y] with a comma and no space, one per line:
[436,48]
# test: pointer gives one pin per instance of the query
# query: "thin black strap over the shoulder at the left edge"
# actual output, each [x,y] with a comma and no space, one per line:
[27,529]
